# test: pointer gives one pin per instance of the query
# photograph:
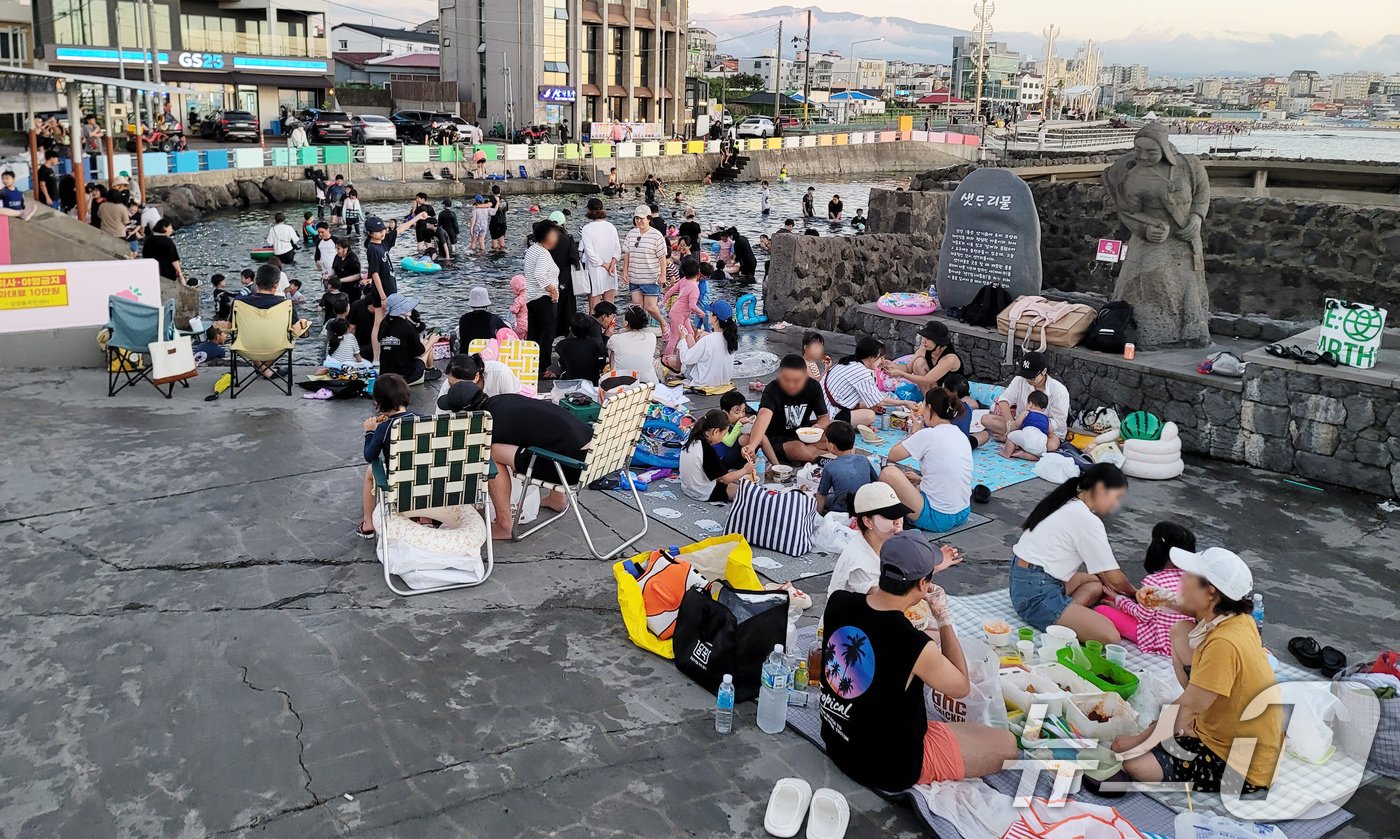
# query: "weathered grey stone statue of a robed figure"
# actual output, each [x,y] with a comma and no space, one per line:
[1163,197]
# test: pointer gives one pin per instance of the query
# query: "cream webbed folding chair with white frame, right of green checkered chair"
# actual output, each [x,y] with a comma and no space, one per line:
[615,441]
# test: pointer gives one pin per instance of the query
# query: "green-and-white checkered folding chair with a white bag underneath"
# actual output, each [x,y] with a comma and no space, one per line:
[433,464]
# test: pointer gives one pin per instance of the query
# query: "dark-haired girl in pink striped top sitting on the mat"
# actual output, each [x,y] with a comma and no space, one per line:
[1149,620]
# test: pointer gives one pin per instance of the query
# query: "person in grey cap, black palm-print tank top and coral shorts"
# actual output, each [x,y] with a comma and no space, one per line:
[874,669]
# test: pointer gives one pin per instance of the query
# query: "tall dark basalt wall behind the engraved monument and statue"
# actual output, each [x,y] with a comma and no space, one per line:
[1269,264]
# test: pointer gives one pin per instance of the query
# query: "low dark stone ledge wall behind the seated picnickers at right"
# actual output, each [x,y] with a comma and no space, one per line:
[1317,427]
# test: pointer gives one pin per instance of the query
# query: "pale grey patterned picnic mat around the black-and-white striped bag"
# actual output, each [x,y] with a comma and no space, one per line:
[702,520]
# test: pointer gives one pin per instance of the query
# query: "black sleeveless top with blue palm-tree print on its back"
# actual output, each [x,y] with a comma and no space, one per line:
[873,712]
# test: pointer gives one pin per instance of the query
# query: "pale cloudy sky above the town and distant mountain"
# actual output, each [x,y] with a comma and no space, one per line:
[1172,37]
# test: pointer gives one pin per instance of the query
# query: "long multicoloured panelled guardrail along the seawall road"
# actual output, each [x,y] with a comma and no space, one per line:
[254,158]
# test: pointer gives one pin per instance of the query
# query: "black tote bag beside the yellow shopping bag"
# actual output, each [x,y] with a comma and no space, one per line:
[730,634]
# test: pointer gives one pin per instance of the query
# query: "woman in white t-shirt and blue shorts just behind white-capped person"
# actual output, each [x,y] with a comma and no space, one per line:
[943,499]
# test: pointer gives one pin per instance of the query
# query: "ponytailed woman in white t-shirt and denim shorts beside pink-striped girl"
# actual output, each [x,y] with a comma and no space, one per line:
[1063,564]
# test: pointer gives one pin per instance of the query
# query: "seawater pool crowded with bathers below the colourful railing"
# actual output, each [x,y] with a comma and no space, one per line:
[220,244]
